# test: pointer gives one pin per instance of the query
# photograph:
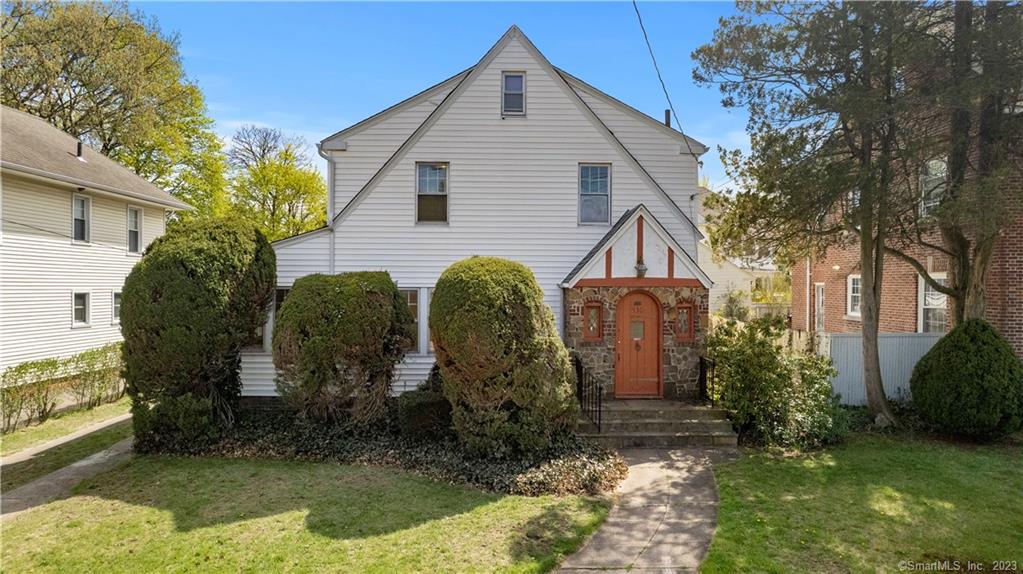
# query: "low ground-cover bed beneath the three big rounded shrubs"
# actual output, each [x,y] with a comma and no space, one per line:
[569,466]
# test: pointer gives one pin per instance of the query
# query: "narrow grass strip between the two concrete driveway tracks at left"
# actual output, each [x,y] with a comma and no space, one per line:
[15,475]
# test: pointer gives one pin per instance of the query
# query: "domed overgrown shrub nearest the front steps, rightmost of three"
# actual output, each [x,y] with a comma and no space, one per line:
[506,371]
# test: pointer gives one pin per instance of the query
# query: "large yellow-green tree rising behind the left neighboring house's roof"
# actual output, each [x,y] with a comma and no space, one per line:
[105,74]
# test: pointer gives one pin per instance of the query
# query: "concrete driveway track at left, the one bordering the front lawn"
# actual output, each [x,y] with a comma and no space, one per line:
[61,482]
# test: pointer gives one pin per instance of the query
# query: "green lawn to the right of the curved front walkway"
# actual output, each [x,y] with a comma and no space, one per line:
[868,505]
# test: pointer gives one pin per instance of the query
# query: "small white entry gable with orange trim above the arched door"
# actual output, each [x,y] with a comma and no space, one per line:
[588,272]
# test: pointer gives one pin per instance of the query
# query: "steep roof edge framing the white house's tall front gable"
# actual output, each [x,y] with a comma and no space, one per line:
[472,75]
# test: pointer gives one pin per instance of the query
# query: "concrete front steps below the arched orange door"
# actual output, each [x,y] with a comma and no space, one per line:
[665,424]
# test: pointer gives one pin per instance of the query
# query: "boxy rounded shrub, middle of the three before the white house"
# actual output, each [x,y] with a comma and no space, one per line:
[337,340]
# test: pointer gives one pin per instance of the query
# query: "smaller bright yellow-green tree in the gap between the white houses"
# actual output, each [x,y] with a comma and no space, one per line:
[276,186]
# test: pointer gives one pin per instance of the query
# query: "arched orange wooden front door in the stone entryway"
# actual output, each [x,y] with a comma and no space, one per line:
[638,347]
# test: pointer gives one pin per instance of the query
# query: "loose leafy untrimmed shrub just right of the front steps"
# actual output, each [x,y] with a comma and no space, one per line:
[775,396]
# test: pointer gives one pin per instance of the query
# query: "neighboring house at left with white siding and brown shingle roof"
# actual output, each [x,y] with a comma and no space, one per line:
[74,224]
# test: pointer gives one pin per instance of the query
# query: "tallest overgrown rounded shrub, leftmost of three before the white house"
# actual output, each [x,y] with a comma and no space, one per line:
[190,305]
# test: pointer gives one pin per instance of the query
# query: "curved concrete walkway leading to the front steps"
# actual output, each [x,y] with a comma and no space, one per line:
[665,516]
